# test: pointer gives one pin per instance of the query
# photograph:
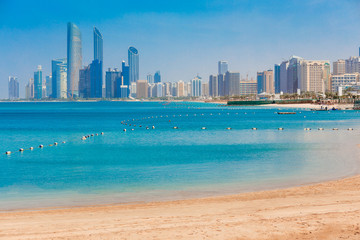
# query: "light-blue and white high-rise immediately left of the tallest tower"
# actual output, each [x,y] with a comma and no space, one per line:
[59,78]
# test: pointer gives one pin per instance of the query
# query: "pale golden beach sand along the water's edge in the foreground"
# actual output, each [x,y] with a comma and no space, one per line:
[329,210]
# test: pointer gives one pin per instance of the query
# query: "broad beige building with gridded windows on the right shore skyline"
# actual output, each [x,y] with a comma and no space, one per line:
[314,76]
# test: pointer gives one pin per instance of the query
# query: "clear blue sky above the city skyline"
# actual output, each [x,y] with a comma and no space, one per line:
[179,38]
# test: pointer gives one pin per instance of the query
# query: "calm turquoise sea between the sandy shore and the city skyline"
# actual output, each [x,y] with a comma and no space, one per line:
[164,163]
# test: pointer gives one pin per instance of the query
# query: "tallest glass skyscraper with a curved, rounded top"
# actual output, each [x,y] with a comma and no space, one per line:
[74,59]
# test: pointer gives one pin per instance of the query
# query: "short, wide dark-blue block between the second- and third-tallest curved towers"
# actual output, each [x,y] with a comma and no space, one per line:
[113,83]
